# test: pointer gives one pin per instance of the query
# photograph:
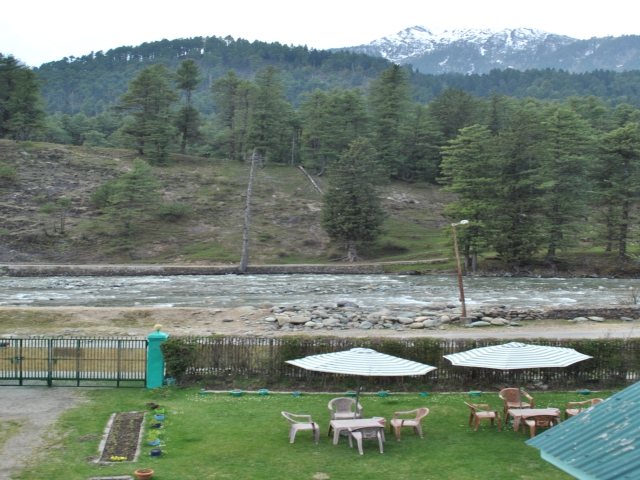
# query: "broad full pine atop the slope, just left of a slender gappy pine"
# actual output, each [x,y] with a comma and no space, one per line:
[149,100]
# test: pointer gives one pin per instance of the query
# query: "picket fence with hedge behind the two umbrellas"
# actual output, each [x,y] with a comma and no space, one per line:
[615,362]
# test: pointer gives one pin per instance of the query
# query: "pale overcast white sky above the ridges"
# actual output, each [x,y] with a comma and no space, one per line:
[40,31]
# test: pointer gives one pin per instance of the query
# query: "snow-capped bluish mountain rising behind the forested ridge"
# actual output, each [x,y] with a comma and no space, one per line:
[481,50]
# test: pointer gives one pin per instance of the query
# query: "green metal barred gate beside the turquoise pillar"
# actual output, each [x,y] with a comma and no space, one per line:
[73,362]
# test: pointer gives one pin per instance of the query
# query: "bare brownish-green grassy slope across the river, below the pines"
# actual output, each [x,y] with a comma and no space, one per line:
[285,216]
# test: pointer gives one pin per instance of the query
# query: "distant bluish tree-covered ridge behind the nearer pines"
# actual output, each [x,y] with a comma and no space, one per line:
[91,83]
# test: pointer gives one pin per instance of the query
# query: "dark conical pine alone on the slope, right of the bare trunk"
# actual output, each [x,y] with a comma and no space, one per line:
[352,211]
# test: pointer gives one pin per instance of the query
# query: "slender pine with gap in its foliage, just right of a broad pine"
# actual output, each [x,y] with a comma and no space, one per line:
[187,119]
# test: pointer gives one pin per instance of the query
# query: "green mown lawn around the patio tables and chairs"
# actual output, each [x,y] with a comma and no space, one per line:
[220,436]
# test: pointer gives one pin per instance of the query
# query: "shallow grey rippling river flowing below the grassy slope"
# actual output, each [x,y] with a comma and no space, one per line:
[367,290]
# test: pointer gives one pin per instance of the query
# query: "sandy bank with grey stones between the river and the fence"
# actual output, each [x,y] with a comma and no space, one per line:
[343,320]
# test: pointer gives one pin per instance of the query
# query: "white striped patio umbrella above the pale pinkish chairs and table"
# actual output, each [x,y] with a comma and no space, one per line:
[363,362]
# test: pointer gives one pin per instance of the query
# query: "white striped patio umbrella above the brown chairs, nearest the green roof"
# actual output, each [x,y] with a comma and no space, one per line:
[517,356]
